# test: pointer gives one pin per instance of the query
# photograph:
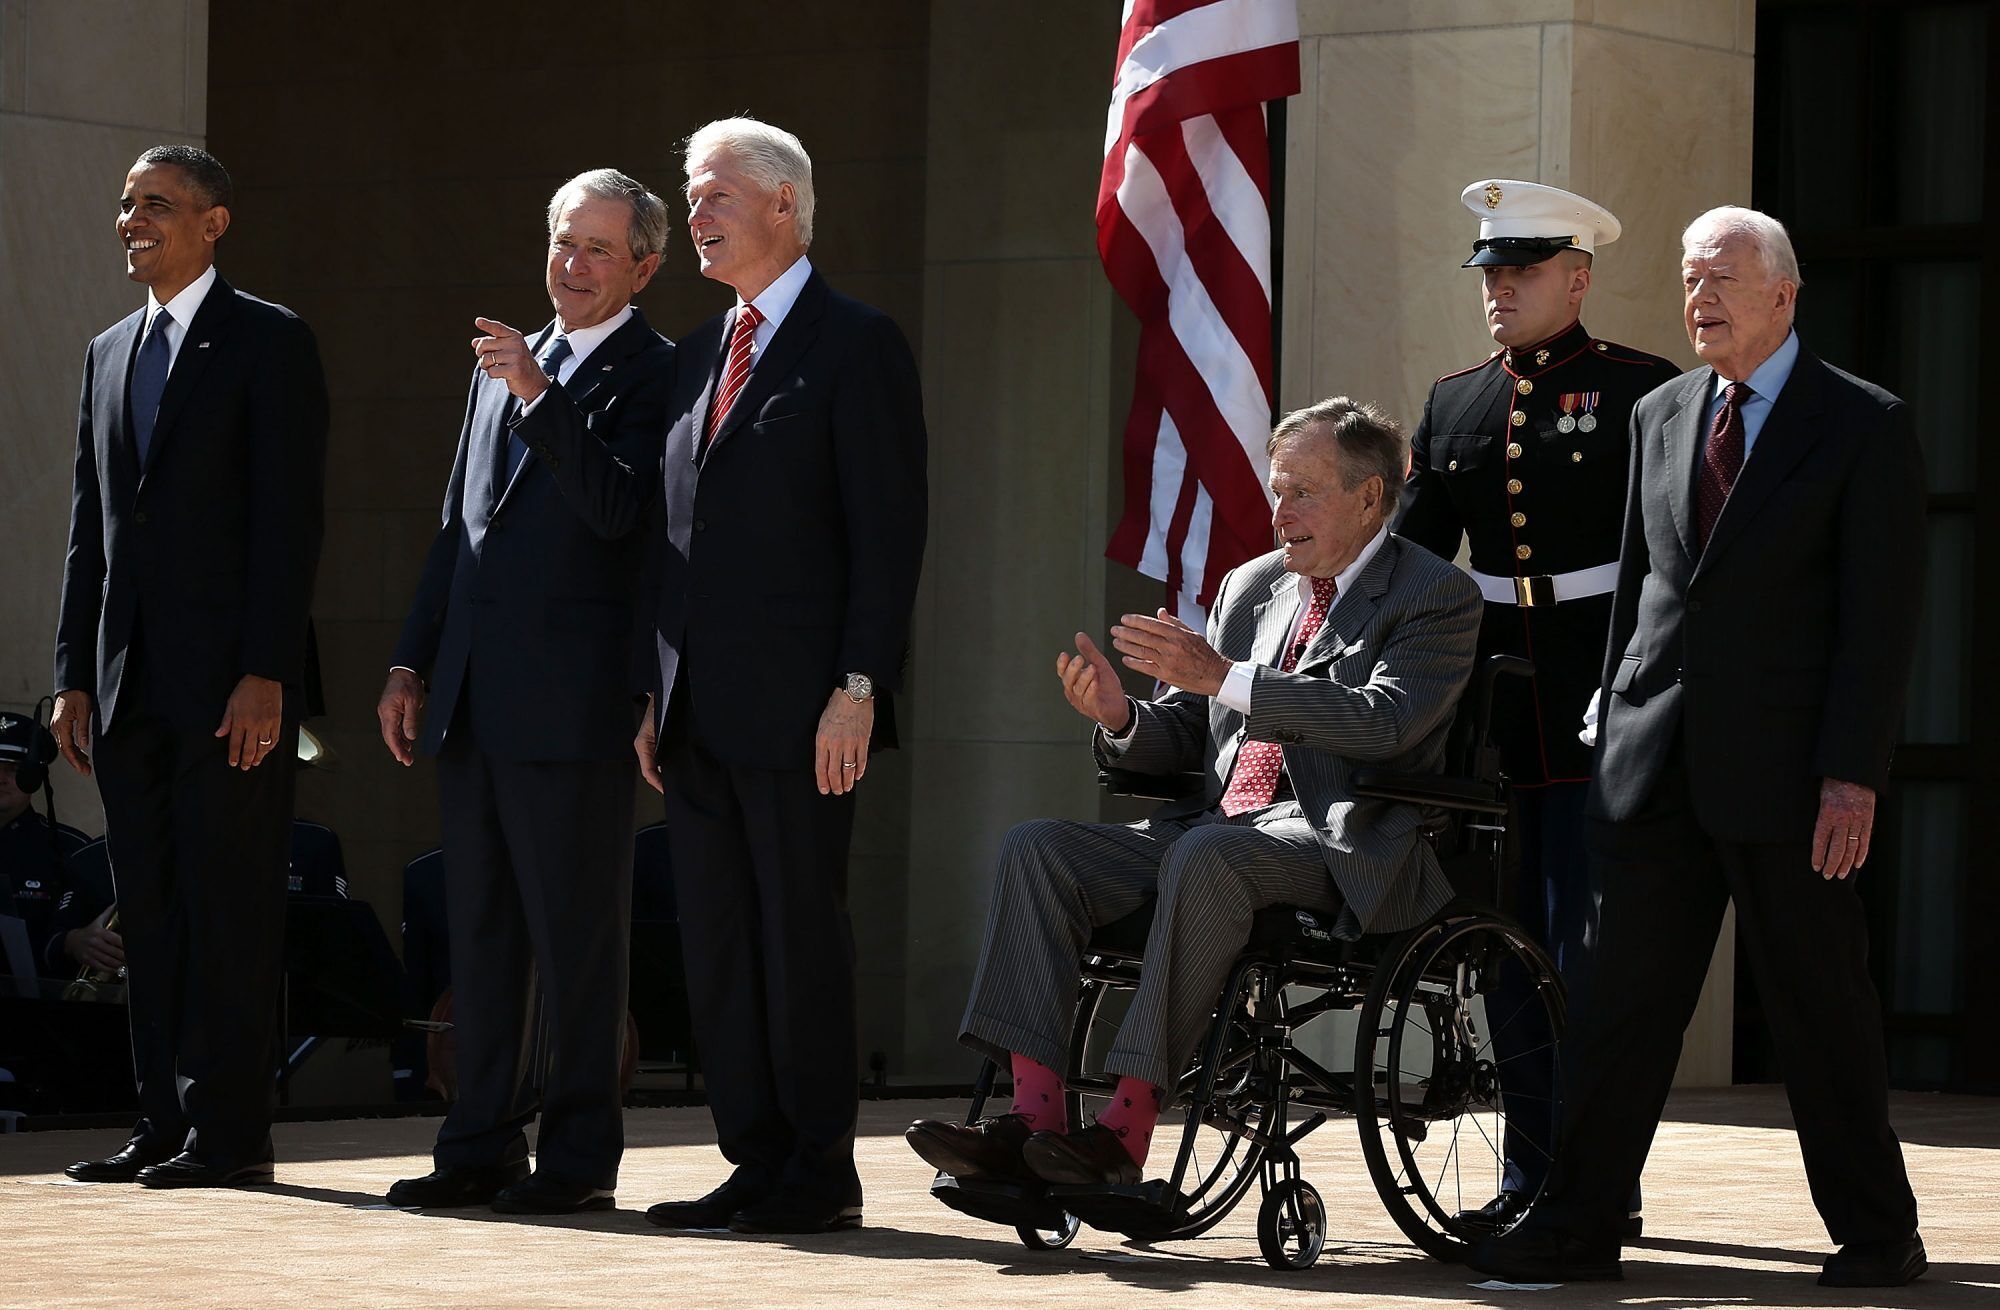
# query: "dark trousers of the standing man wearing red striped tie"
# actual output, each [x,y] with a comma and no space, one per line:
[761,875]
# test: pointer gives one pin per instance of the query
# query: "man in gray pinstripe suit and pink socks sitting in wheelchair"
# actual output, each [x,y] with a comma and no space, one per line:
[1347,647]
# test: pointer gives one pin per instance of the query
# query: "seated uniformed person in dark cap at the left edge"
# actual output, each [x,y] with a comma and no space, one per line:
[37,855]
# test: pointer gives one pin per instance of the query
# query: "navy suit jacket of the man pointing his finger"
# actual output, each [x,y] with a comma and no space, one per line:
[525,607]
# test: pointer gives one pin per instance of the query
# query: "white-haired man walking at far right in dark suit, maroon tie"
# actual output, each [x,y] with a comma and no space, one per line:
[1761,647]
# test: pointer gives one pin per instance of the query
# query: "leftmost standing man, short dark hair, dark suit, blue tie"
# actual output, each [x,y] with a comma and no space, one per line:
[195,537]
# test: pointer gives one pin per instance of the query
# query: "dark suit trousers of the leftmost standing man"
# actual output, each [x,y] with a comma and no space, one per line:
[199,859]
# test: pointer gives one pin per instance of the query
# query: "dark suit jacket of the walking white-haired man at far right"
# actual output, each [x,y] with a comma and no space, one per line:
[1783,651]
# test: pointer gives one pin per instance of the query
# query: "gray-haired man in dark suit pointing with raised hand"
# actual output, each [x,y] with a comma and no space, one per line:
[523,639]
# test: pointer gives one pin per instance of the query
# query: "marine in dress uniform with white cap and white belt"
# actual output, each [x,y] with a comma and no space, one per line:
[1525,457]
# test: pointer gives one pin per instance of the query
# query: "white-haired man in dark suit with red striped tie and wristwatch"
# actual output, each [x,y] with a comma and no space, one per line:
[795,519]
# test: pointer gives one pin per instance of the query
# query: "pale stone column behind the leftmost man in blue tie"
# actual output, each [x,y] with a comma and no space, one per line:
[83,91]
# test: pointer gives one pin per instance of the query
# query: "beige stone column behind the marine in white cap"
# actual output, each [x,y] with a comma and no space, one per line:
[1639,105]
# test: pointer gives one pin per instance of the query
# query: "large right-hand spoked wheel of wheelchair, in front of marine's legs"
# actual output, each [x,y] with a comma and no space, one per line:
[1433,1111]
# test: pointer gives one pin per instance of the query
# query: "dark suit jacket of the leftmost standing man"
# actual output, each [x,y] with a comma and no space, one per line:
[211,549]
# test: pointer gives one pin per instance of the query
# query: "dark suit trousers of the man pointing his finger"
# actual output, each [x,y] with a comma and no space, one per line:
[539,903]
